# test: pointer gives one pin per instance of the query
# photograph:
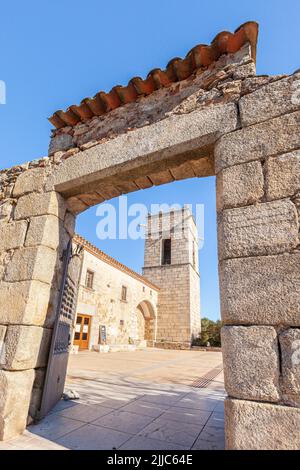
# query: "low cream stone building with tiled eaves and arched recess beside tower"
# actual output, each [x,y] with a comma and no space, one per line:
[129,322]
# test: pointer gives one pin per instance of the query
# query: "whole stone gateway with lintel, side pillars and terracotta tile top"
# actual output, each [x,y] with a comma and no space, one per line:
[208,114]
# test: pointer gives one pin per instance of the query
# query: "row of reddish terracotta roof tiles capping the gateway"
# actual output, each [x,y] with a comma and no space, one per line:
[199,58]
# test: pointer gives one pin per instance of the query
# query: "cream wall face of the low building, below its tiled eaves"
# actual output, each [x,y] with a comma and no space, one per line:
[104,304]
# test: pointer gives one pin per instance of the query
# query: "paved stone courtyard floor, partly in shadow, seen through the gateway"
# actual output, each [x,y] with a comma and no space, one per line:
[142,400]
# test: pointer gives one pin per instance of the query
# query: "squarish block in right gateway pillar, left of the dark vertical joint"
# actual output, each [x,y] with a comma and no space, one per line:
[251,362]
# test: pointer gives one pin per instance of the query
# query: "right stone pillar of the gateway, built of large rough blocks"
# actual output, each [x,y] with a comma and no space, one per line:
[258,189]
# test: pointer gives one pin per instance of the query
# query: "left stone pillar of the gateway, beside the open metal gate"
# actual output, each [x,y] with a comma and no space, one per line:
[35,227]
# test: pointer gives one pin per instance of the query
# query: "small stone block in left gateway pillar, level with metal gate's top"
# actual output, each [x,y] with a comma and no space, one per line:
[46,230]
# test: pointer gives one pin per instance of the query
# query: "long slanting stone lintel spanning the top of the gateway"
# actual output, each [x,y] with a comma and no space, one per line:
[173,136]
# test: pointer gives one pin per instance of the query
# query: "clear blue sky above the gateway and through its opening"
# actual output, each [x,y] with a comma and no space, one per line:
[54,53]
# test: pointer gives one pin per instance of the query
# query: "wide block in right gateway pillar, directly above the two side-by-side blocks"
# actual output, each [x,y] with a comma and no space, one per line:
[262,290]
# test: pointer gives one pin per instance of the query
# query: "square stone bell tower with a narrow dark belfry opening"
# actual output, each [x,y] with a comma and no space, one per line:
[171,262]
